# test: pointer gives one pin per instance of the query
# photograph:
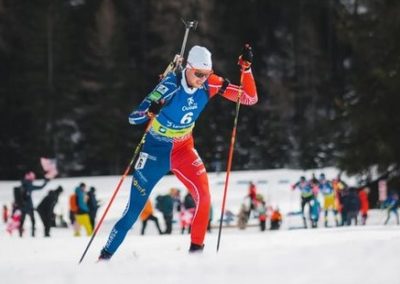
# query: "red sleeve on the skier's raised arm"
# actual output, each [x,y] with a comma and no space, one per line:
[249,95]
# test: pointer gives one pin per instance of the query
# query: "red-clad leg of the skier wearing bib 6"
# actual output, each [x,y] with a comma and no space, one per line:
[190,170]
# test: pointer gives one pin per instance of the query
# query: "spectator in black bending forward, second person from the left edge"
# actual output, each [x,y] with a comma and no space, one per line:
[46,209]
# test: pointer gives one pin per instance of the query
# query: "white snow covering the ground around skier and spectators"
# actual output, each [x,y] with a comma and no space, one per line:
[362,254]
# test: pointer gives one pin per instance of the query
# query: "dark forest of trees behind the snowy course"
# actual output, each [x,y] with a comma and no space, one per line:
[327,75]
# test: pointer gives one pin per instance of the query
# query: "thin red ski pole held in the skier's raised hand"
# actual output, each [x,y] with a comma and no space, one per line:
[230,156]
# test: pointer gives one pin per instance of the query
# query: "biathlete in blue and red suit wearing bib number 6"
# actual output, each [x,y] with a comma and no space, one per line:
[173,107]
